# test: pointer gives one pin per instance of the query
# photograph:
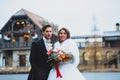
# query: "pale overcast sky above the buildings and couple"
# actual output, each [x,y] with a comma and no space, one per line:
[79,16]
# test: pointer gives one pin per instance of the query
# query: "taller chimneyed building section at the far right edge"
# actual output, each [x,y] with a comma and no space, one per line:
[111,41]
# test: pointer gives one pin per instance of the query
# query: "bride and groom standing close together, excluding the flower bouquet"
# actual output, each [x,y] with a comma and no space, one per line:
[40,68]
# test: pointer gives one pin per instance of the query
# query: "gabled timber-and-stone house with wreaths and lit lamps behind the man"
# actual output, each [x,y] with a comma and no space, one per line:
[17,35]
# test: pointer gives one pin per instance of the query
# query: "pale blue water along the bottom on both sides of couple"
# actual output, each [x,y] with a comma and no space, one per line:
[87,75]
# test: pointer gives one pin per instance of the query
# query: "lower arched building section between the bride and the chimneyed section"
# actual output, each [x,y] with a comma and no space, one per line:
[89,46]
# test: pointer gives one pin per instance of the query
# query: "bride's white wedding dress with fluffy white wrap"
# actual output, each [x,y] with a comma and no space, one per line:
[69,70]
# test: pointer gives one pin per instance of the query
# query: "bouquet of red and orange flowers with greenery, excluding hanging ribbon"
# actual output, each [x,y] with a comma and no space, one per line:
[56,55]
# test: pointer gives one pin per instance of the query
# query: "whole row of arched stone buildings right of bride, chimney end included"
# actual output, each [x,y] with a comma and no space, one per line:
[99,51]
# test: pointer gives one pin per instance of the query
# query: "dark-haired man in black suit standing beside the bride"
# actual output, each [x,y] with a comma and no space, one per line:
[38,56]
